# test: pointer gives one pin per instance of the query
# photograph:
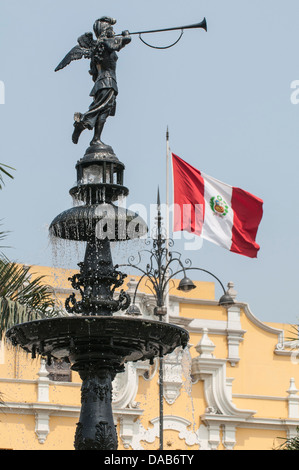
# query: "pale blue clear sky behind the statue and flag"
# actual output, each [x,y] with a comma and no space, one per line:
[225,96]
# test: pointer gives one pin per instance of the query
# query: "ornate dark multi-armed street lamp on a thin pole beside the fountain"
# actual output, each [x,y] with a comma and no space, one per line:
[158,273]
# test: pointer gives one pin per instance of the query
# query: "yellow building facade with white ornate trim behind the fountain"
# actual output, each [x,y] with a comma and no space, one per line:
[233,388]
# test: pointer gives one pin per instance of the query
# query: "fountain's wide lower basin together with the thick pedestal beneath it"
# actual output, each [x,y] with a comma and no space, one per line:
[97,347]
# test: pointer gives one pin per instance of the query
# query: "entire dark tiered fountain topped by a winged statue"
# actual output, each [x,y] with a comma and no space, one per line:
[93,338]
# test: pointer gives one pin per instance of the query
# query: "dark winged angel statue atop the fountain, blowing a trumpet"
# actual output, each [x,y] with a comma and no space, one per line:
[102,54]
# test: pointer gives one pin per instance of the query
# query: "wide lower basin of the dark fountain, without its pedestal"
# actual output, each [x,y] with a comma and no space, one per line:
[105,340]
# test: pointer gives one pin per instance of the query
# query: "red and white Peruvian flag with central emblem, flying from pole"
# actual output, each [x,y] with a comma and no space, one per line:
[222,214]
